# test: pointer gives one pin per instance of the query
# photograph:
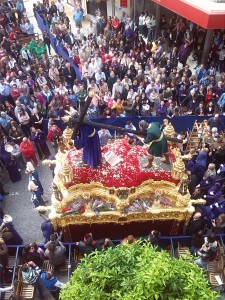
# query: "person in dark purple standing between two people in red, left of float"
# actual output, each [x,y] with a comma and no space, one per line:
[38,137]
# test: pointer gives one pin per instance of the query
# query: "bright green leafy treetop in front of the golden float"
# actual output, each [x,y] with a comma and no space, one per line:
[137,272]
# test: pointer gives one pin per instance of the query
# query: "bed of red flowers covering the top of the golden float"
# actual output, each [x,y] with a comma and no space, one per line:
[127,173]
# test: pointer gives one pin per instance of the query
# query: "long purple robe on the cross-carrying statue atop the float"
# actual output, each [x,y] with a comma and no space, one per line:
[91,146]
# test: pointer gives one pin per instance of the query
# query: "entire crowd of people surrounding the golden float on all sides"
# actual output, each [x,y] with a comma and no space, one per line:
[133,73]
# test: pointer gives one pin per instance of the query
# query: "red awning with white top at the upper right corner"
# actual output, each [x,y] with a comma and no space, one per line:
[208,14]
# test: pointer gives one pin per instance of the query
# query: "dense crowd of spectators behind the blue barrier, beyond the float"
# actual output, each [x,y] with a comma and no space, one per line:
[132,72]
